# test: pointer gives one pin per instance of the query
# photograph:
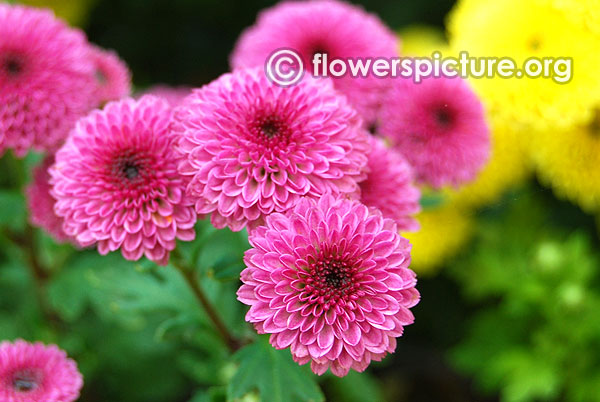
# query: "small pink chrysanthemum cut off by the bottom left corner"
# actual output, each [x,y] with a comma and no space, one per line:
[37,373]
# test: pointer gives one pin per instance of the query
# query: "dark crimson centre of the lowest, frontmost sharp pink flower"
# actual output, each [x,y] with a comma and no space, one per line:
[331,279]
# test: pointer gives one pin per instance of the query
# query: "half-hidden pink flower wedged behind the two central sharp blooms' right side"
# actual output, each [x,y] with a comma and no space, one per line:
[389,186]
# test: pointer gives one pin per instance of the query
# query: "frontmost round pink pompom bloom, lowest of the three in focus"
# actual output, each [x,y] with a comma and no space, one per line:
[331,281]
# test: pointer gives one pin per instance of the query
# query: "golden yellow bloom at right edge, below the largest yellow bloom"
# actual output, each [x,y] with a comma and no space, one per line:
[569,161]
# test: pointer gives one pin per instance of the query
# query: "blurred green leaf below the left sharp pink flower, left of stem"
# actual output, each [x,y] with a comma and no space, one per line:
[122,290]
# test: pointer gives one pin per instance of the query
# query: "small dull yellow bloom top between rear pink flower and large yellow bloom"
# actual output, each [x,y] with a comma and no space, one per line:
[422,41]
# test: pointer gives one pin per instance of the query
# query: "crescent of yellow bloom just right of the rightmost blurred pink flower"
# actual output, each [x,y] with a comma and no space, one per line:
[507,167]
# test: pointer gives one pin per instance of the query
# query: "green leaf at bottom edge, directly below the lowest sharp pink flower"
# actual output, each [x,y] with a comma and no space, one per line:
[273,373]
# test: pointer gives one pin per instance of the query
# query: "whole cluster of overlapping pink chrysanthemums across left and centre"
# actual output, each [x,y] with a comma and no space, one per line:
[324,201]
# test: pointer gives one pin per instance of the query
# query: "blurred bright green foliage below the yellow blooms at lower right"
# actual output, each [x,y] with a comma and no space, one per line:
[535,336]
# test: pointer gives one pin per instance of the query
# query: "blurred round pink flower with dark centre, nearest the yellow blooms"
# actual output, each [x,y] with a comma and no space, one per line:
[439,126]
